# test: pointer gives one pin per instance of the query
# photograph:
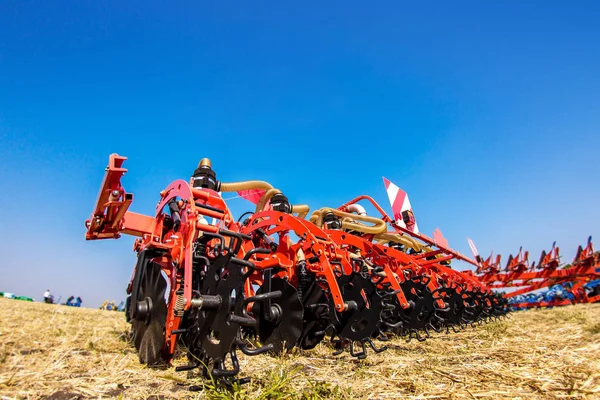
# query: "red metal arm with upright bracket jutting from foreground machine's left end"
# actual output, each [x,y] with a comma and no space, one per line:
[110,217]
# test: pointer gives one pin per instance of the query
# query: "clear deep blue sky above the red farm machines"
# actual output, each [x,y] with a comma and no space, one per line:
[486,113]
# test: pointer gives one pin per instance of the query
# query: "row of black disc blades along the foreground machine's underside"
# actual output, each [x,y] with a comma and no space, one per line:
[303,322]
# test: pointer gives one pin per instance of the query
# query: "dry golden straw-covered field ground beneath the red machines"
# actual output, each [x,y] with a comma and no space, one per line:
[59,352]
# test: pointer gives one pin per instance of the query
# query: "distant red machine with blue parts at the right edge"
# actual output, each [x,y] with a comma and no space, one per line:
[547,284]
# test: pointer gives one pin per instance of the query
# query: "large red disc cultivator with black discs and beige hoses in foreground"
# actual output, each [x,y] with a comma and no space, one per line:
[278,277]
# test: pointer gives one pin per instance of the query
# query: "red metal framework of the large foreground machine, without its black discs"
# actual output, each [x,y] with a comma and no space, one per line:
[327,253]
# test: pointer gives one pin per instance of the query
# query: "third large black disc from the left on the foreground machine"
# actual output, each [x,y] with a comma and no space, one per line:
[283,332]
